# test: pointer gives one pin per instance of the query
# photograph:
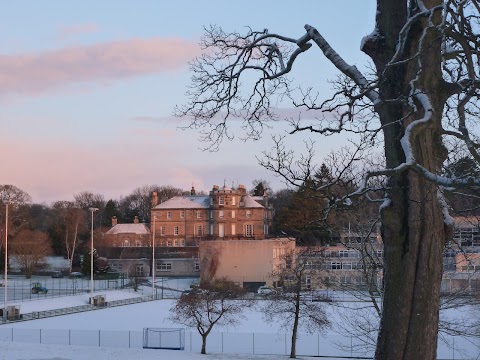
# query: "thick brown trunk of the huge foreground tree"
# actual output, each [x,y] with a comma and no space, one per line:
[413,227]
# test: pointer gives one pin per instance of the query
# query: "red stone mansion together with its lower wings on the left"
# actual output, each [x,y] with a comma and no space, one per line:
[180,224]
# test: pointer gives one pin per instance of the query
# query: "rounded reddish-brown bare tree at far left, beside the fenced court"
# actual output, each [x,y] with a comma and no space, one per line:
[30,248]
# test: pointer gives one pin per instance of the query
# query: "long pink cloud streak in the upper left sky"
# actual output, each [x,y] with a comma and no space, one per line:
[36,73]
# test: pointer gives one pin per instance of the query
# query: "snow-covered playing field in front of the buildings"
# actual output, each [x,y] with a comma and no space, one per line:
[116,333]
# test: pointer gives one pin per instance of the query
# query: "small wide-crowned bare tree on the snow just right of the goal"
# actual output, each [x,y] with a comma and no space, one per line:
[212,303]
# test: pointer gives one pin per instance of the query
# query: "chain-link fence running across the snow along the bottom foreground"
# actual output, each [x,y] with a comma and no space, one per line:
[333,346]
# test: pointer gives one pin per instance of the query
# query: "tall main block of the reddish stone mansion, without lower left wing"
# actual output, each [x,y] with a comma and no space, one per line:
[225,214]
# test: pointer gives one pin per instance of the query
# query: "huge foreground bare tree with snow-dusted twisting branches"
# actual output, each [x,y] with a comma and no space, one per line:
[419,102]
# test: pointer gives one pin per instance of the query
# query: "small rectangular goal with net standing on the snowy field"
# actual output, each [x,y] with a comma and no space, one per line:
[158,338]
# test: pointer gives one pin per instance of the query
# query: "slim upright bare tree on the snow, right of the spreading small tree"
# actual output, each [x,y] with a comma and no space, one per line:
[290,308]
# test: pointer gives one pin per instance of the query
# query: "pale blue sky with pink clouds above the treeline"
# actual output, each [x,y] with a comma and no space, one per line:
[88,88]
